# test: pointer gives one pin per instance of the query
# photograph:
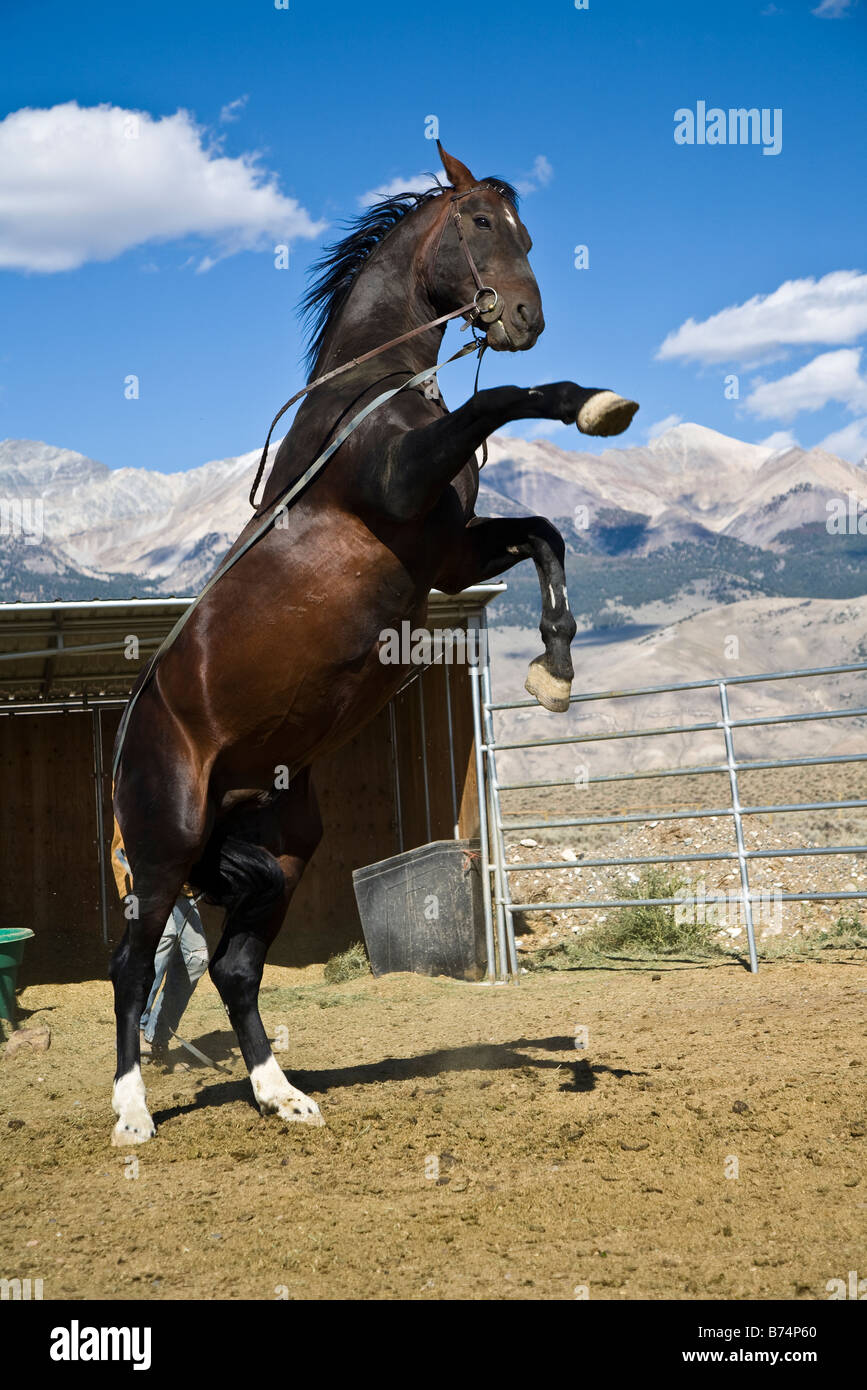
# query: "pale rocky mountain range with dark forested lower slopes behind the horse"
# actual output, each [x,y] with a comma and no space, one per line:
[694,515]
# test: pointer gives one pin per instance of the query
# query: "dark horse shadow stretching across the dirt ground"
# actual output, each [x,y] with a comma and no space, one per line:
[579,1074]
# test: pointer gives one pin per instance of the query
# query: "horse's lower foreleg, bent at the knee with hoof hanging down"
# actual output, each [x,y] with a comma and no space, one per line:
[490,548]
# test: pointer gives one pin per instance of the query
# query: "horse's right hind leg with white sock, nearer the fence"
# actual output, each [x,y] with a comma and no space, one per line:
[290,831]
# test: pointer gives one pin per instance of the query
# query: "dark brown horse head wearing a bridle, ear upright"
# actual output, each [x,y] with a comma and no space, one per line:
[481,240]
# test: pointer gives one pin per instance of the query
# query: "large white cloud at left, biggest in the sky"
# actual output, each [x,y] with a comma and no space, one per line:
[85,184]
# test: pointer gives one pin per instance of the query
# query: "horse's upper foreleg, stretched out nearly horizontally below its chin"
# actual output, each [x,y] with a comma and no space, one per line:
[422,462]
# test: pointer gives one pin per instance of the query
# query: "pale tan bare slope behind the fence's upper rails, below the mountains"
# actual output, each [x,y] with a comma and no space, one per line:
[732,640]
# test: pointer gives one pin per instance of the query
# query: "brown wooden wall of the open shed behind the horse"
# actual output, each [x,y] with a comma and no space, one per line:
[49,869]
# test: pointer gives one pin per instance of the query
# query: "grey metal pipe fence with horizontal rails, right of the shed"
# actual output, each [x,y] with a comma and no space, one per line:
[494,833]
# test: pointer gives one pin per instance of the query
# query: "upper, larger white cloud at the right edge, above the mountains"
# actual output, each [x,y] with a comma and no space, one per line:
[802,312]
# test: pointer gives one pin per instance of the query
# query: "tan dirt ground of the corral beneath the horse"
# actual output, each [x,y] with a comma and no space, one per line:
[470,1152]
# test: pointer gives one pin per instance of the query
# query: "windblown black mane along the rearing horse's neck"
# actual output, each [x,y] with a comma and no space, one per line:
[337,270]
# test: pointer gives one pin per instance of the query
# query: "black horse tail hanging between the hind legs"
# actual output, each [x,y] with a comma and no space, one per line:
[240,875]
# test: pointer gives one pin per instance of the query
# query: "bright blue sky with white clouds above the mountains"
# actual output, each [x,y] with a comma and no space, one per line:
[288,117]
